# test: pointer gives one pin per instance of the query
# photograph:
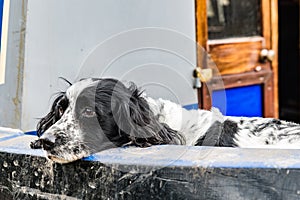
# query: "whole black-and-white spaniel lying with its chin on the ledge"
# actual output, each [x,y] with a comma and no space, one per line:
[95,114]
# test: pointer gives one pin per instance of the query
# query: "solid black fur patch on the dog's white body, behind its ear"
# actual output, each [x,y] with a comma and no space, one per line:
[219,134]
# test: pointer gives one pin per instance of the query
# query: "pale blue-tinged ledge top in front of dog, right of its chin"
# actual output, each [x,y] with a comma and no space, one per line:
[207,157]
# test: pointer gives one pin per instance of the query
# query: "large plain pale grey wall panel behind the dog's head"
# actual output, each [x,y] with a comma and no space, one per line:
[75,39]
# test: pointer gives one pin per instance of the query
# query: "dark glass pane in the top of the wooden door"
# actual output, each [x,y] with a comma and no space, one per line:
[233,18]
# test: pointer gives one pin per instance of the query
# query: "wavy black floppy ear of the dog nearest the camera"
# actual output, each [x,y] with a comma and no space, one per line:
[134,118]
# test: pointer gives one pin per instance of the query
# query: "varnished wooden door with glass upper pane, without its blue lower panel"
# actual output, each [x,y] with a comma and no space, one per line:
[234,33]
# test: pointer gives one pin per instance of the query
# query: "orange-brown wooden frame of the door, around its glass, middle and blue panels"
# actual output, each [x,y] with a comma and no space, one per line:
[268,78]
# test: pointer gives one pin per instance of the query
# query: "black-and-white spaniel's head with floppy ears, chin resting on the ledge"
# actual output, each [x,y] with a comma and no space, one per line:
[97,114]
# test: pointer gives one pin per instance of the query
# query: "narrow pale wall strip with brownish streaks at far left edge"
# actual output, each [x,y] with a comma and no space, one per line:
[13,59]
